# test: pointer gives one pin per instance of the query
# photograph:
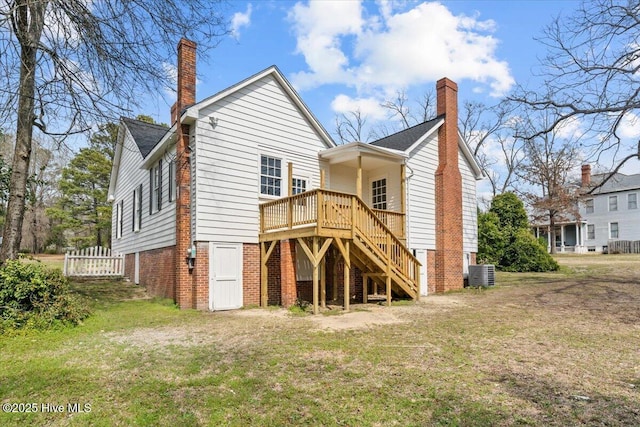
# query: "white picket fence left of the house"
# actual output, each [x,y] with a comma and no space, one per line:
[96,261]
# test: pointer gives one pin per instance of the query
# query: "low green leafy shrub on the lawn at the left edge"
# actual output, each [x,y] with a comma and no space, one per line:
[33,296]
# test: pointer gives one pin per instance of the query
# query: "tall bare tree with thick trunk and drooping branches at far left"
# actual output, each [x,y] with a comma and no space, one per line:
[67,64]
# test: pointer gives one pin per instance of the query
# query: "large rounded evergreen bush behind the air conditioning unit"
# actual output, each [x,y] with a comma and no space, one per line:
[505,239]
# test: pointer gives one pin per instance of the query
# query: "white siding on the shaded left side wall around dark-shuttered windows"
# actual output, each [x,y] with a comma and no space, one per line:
[158,230]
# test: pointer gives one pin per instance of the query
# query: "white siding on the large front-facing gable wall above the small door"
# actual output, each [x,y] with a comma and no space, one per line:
[228,158]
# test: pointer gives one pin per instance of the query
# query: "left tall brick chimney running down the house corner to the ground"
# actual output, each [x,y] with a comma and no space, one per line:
[185,297]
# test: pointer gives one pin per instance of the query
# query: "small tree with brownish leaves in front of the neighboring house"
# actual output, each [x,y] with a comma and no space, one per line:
[547,165]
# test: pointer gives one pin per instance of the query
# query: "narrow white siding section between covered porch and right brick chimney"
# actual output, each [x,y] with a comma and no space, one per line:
[421,214]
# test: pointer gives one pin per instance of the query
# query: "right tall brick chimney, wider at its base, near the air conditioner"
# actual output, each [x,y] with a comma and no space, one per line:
[448,262]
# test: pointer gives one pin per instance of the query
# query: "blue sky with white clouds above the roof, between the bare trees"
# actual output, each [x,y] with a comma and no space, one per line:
[341,55]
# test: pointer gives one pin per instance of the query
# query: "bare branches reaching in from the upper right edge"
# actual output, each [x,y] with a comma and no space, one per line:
[591,71]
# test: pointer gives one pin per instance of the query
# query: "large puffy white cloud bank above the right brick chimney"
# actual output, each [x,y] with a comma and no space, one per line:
[391,48]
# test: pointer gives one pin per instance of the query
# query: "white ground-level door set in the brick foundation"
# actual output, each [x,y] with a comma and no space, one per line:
[225,276]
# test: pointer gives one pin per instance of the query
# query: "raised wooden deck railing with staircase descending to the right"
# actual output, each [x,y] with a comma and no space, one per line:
[377,248]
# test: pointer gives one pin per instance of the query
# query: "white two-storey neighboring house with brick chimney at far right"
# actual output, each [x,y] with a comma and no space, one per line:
[606,213]
